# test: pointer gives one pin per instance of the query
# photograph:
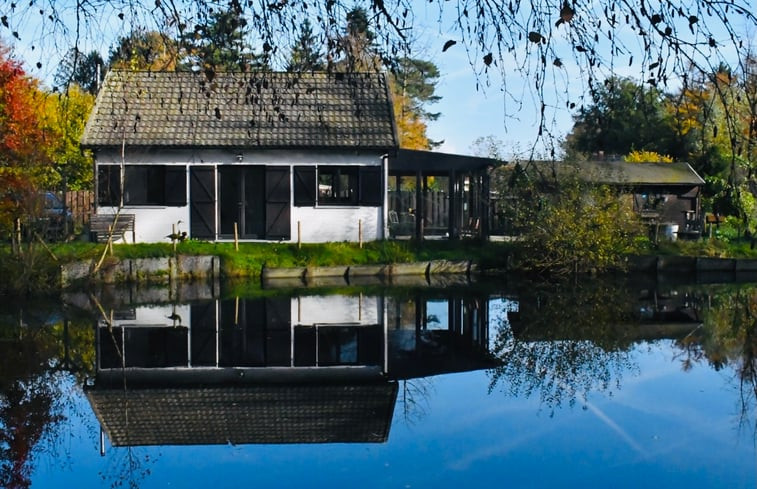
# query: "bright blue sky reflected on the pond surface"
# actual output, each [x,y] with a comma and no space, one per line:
[647,422]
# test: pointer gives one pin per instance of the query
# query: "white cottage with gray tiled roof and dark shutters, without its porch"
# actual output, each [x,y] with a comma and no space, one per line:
[263,156]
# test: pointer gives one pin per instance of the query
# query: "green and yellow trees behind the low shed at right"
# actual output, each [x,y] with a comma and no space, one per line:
[710,122]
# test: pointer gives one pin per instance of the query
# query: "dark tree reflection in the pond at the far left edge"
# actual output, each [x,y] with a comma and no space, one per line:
[36,353]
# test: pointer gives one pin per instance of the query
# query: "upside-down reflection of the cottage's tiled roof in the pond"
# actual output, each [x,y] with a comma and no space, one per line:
[250,414]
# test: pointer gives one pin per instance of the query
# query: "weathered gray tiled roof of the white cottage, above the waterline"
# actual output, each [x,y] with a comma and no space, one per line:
[242,110]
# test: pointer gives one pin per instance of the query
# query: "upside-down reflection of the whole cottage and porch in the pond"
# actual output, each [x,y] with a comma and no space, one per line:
[302,369]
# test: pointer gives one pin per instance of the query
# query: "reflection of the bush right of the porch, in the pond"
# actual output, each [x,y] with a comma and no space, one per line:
[566,341]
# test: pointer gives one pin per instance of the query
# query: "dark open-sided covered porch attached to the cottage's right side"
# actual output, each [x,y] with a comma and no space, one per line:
[437,196]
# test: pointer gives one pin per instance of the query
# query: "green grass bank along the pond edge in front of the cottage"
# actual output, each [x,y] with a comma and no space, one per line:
[37,266]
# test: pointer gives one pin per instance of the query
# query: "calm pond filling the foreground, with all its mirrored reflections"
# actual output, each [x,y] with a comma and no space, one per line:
[601,384]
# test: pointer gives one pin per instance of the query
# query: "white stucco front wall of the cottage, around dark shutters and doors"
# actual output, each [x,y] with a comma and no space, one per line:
[317,224]
